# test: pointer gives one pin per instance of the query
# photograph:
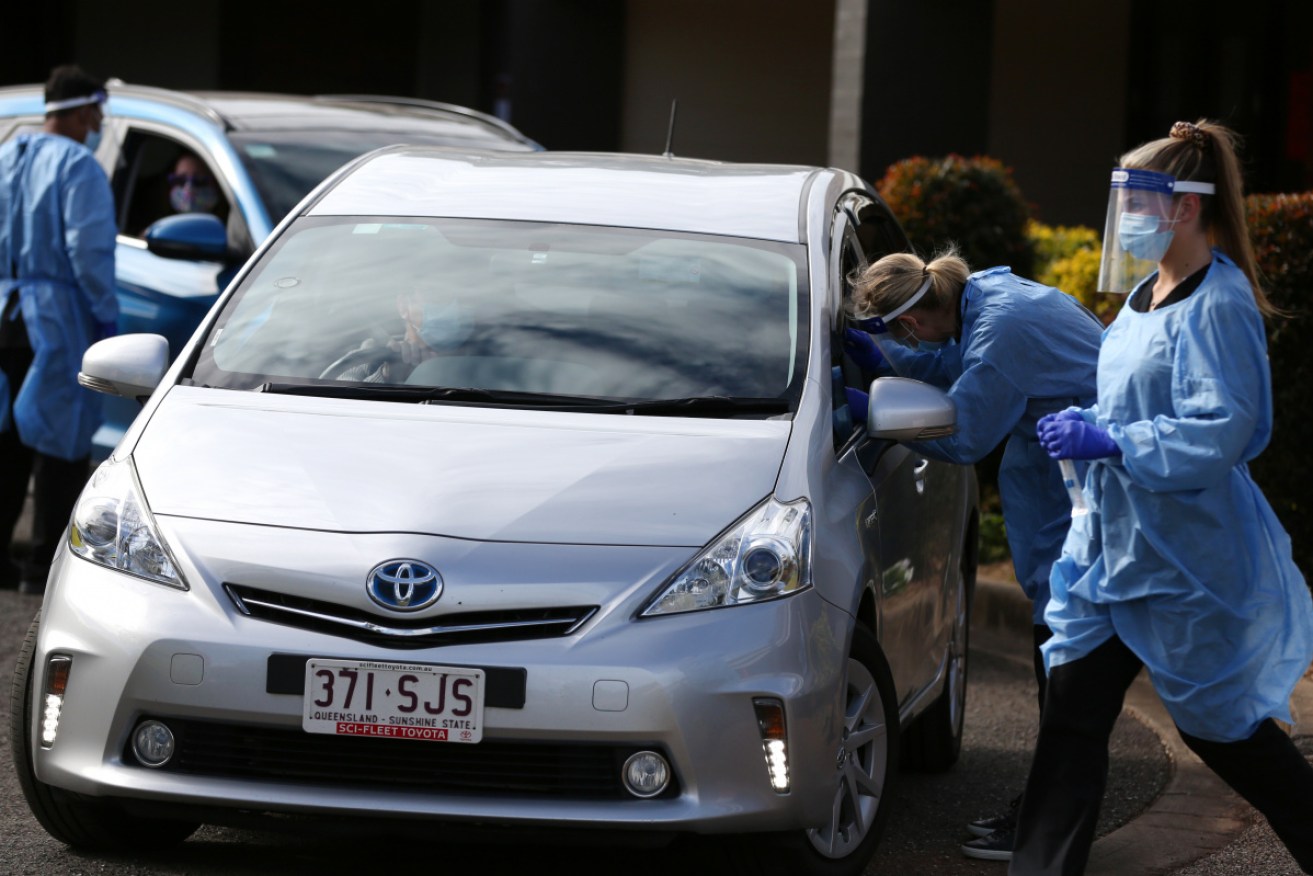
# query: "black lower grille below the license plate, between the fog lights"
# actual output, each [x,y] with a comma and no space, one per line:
[225,751]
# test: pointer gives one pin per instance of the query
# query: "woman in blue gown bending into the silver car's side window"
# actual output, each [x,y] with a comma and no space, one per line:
[1008,351]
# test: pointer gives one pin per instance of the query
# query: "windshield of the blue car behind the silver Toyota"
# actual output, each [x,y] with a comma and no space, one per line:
[286,166]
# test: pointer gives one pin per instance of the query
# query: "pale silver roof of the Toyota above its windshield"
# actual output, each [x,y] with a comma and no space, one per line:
[765,202]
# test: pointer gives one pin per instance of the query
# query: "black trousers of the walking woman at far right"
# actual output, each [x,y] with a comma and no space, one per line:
[1069,773]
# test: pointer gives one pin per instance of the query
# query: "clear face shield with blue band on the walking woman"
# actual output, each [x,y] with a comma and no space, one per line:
[1140,225]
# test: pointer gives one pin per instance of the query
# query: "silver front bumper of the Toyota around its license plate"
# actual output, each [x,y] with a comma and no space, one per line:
[681,685]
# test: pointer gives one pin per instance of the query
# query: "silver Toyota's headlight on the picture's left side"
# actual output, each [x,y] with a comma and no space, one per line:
[114,527]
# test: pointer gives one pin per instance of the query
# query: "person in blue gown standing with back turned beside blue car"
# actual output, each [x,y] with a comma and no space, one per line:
[57,296]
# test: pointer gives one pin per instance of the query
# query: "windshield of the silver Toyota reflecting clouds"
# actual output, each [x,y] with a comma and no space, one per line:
[518,313]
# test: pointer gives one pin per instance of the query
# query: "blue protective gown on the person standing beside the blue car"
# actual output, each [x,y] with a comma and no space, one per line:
[57,254]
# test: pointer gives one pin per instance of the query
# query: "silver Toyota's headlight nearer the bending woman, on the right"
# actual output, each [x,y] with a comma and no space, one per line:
[764,556]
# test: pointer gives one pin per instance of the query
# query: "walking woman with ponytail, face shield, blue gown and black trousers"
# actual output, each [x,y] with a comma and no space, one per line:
[1181,567]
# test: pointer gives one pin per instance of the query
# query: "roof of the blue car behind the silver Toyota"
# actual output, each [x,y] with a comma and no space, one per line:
[262,112]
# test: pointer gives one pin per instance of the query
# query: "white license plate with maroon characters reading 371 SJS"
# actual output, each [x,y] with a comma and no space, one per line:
[393,701]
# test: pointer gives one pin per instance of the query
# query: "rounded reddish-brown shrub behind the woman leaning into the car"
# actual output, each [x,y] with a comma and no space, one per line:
[970,202]
